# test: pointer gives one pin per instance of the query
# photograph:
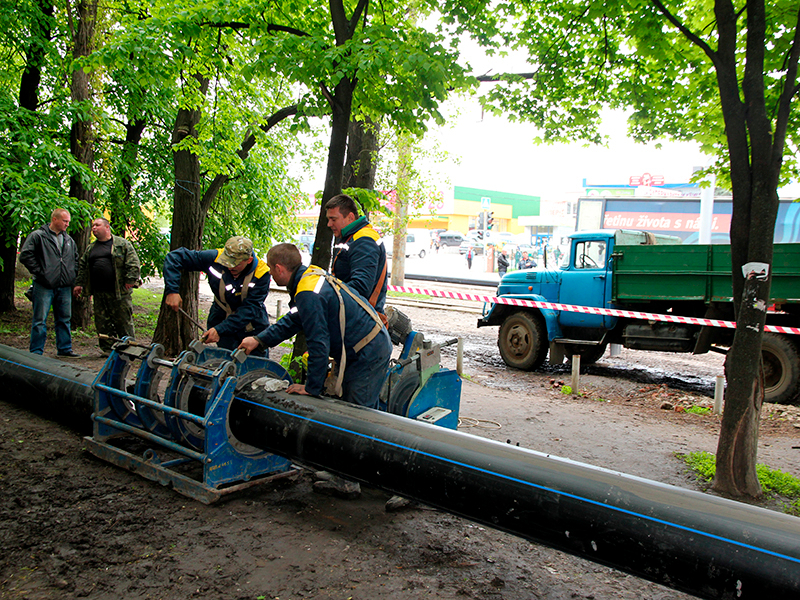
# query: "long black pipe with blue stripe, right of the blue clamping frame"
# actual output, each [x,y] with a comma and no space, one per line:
[686,540]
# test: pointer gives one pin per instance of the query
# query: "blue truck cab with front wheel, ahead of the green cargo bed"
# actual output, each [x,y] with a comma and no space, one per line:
[583,278]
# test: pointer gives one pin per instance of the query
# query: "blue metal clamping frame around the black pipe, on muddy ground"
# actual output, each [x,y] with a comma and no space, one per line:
[196,434]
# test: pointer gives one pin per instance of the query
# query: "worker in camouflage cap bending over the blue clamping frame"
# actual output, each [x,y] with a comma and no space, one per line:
[239,281]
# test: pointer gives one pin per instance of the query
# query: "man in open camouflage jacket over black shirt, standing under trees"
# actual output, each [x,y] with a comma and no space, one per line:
[108,271]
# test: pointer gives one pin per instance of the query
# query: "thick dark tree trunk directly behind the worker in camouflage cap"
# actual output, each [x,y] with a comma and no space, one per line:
[174,331]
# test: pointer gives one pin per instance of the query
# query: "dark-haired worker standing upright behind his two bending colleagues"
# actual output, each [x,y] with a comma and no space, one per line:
[359,258]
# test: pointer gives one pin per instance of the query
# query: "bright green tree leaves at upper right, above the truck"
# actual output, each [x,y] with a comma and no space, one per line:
[625,54]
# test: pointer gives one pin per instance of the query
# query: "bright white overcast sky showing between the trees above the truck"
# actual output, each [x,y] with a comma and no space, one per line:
[493,153]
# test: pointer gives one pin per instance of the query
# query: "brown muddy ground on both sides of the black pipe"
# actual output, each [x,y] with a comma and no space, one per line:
[75,527]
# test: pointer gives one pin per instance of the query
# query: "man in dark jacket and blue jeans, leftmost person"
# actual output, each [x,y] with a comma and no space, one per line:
[52,257]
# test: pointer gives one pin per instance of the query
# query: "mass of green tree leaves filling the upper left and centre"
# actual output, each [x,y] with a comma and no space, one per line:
[234,63]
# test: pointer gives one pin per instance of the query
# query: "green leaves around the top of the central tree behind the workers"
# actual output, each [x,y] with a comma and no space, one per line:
[403,71]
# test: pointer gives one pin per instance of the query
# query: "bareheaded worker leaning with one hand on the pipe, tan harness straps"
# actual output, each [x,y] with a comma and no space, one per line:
[337,323]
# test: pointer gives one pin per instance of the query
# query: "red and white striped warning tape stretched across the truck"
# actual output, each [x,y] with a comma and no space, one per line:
[612,312]
